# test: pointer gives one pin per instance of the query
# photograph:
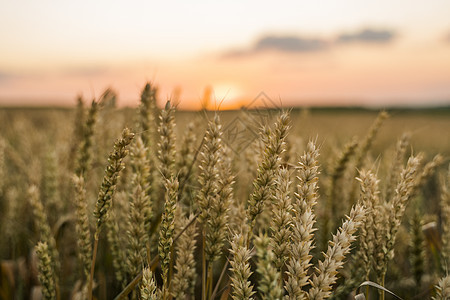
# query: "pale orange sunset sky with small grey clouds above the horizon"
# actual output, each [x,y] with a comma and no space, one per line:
[348,52]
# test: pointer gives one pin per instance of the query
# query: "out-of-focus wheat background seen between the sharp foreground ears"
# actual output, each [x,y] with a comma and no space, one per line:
[39,147]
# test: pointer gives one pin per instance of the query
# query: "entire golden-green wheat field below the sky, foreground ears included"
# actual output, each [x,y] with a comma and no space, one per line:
[98,202]
